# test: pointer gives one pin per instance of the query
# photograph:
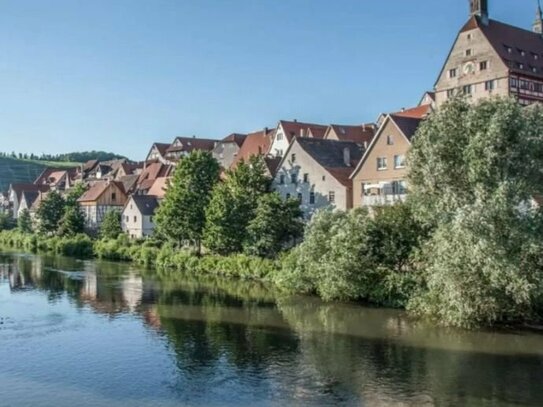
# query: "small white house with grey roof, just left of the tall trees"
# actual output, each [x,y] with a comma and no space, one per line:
[137,216]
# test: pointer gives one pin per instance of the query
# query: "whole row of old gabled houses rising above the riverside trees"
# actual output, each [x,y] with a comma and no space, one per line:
[323,166]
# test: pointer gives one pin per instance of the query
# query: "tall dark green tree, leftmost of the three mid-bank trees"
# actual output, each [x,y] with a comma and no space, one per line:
[181,215]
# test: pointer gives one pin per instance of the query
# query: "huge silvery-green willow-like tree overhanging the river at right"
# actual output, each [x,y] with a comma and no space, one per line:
[474,172]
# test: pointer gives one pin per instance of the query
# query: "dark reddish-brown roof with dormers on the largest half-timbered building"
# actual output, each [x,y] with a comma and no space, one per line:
[510,42]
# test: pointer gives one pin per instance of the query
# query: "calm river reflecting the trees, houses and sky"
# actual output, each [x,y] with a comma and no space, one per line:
[88,333]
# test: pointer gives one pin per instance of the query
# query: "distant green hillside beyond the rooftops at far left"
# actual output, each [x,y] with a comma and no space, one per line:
[13,170]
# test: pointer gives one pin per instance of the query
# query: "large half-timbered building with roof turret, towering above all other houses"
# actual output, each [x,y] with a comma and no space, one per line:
[491,58]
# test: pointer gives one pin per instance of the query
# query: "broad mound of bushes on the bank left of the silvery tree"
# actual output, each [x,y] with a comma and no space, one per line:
[344,257]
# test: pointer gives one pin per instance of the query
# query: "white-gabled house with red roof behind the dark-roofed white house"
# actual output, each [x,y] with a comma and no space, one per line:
[287,130]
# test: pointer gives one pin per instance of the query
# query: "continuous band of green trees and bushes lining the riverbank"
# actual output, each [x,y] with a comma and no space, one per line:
[465,249]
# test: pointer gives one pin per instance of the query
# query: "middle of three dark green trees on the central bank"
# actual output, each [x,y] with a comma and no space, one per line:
[232,206]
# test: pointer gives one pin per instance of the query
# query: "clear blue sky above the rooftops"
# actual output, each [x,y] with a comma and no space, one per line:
[117,75]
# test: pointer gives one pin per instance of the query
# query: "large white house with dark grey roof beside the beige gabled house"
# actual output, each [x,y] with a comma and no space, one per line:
[316,172]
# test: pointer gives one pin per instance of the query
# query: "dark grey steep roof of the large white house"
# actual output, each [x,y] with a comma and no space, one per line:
[330,155]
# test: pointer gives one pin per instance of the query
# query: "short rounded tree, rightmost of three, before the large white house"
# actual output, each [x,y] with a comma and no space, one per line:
[276,223]
